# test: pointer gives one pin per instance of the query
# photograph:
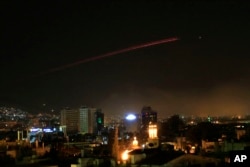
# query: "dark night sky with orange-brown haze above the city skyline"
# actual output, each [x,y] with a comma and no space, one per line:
[206,72]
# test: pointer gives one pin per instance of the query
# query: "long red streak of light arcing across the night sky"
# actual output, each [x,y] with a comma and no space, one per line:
[109,54]
